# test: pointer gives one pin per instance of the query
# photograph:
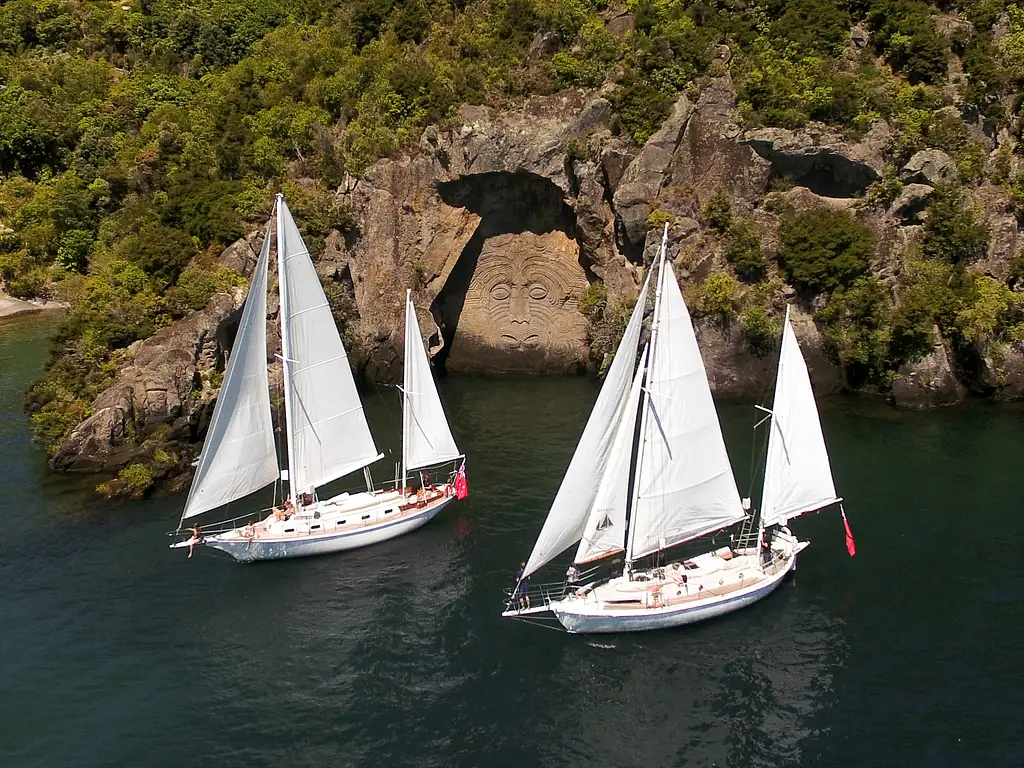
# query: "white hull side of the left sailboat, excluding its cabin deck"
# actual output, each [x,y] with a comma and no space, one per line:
[260,548]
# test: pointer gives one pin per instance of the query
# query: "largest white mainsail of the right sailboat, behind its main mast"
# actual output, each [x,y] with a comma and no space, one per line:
[686,487]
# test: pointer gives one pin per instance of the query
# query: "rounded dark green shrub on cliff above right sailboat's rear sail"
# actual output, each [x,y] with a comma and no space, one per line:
[824,250]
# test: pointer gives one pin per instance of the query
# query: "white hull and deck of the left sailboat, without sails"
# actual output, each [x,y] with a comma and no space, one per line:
[348,522]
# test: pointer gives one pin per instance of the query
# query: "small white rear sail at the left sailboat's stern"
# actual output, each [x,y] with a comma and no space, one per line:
[426,434]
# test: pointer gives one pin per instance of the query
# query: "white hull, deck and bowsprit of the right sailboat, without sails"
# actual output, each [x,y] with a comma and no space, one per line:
[658,600]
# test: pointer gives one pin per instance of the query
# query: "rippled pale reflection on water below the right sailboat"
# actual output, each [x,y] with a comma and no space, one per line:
[747,690]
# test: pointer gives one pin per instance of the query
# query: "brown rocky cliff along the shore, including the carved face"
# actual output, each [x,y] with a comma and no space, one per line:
[501,223]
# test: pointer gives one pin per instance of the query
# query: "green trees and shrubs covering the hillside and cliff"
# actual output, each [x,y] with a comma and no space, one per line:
[140,139]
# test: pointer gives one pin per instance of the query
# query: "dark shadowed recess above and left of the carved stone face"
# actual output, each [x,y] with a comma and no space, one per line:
[507,204]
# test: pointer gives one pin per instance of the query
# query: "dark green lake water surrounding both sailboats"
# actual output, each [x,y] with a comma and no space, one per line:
[116,652]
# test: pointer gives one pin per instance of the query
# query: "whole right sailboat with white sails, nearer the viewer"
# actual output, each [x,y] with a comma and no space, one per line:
[652,473]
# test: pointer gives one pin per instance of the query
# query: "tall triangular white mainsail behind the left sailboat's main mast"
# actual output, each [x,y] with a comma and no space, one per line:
[328,435]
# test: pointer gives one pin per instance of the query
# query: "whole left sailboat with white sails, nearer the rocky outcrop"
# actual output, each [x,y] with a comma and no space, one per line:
[326,431]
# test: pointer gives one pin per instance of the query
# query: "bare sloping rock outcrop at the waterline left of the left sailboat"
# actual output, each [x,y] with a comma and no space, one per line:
[161,392]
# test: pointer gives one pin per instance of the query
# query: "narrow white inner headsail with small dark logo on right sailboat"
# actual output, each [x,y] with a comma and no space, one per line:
[606,530]
